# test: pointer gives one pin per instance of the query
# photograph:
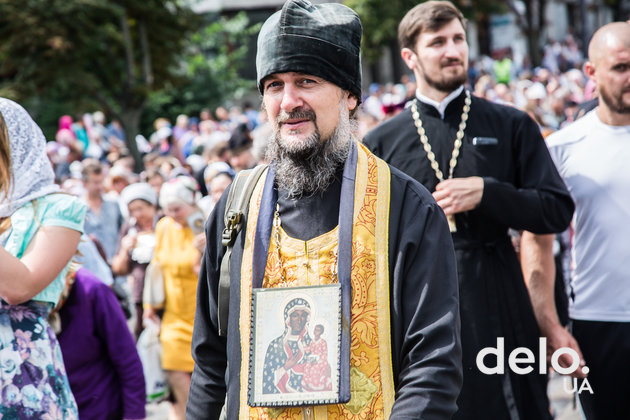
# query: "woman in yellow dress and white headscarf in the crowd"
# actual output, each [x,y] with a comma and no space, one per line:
[180,243]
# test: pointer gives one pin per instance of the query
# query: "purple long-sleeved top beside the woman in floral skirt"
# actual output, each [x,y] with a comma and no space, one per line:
[100,354]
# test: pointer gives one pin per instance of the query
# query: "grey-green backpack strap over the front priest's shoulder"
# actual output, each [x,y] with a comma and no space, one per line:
[236,207]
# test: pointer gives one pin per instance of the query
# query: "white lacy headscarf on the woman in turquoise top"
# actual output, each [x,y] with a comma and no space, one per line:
[32,175]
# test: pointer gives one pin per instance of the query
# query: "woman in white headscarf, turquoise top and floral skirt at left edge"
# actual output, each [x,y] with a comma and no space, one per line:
[40,231]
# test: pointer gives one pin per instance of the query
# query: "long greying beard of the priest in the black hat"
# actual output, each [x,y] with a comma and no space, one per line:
[309,167]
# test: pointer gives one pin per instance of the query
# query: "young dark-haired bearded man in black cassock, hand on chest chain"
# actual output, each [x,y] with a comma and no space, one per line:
[489,170]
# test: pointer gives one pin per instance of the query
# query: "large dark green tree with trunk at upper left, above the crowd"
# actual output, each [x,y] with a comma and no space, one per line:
[107,53]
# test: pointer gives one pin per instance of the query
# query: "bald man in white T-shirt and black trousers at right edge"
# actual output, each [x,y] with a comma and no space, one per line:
[592,156]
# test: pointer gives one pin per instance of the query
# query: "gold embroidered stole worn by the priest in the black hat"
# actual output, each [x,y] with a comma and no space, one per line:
[310,263]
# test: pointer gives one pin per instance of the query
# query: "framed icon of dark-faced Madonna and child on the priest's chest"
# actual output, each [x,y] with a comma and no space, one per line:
[295,347]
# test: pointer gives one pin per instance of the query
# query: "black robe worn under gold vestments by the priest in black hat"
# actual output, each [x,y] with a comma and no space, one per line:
[426,353]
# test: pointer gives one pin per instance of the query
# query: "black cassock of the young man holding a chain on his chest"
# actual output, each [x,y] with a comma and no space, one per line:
[522,190]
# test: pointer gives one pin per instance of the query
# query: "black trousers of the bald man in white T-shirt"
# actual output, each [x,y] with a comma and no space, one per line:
[606,350]
